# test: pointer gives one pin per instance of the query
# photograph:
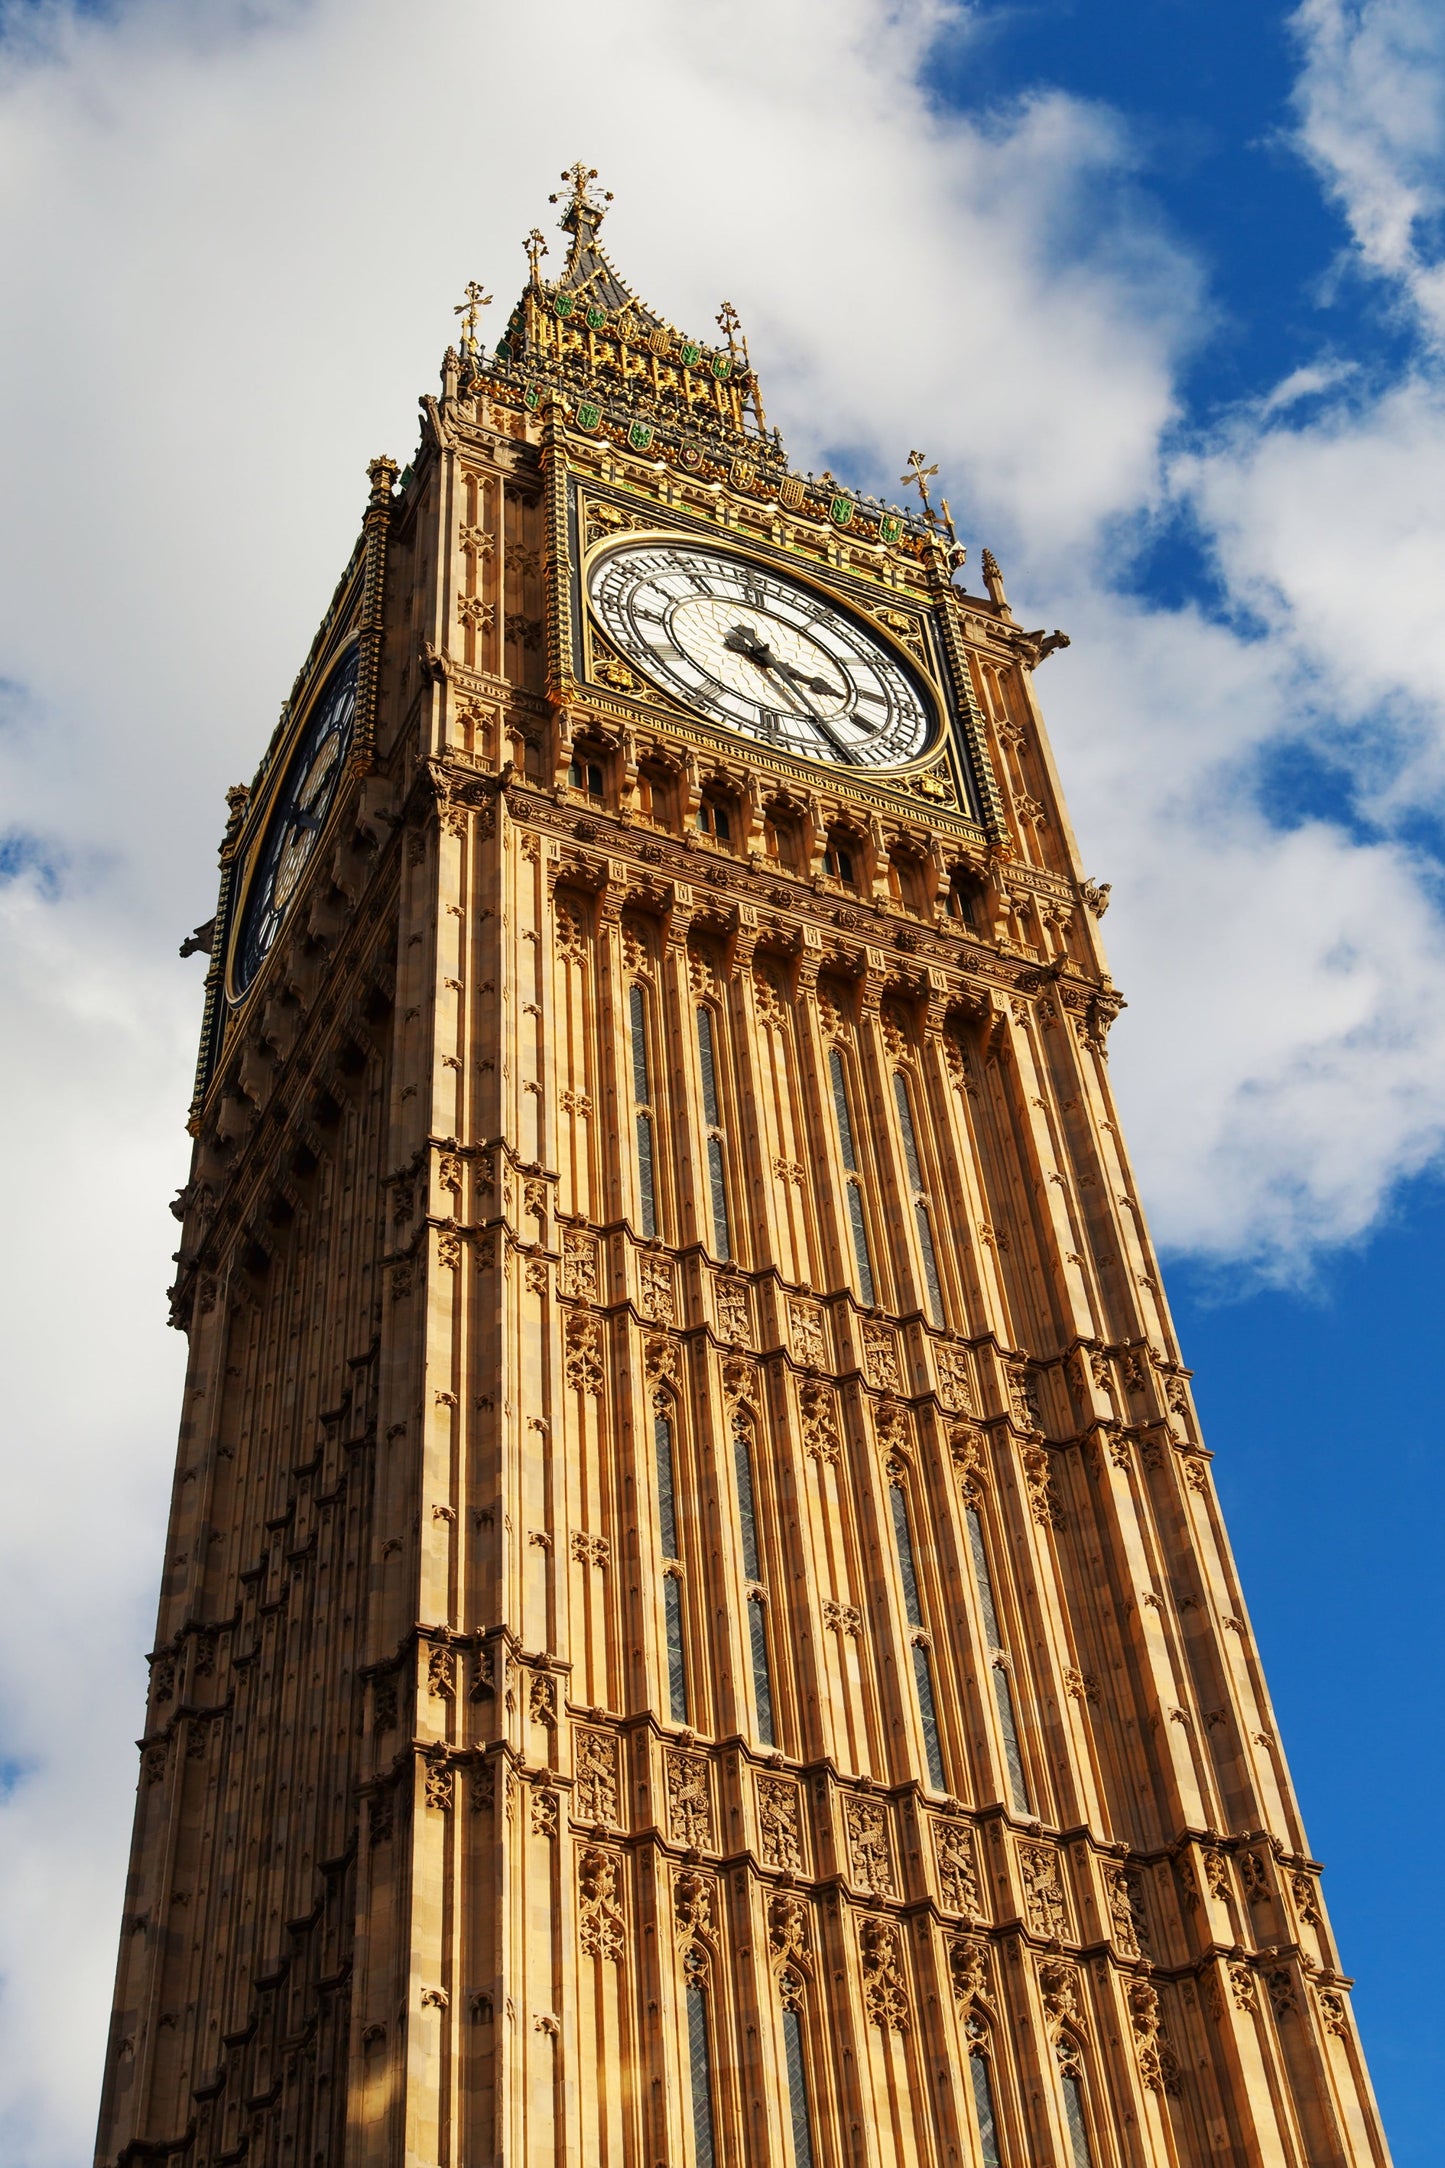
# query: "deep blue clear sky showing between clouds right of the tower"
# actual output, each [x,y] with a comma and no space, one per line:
[1316,1397]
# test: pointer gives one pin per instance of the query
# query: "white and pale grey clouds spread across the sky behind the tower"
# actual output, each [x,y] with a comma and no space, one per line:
[233,244]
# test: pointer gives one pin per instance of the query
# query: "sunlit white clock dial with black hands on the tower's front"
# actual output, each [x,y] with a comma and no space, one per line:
[759,654]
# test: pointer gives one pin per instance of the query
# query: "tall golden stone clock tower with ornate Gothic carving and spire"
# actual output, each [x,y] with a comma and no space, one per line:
[697,1623]
